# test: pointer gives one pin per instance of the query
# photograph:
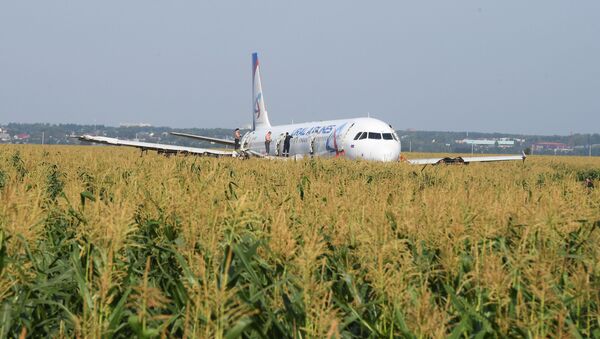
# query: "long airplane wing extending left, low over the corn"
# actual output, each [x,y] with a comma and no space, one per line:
[161,148]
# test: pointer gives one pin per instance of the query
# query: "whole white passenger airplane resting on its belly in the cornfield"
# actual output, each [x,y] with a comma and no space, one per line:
[363,138]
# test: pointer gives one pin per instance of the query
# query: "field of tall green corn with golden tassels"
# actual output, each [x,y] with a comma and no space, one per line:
[100,242]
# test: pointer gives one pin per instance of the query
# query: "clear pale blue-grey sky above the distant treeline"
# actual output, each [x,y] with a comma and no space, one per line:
[508,66]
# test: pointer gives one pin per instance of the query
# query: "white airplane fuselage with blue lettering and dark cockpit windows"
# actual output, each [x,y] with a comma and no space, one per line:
[359,138]
